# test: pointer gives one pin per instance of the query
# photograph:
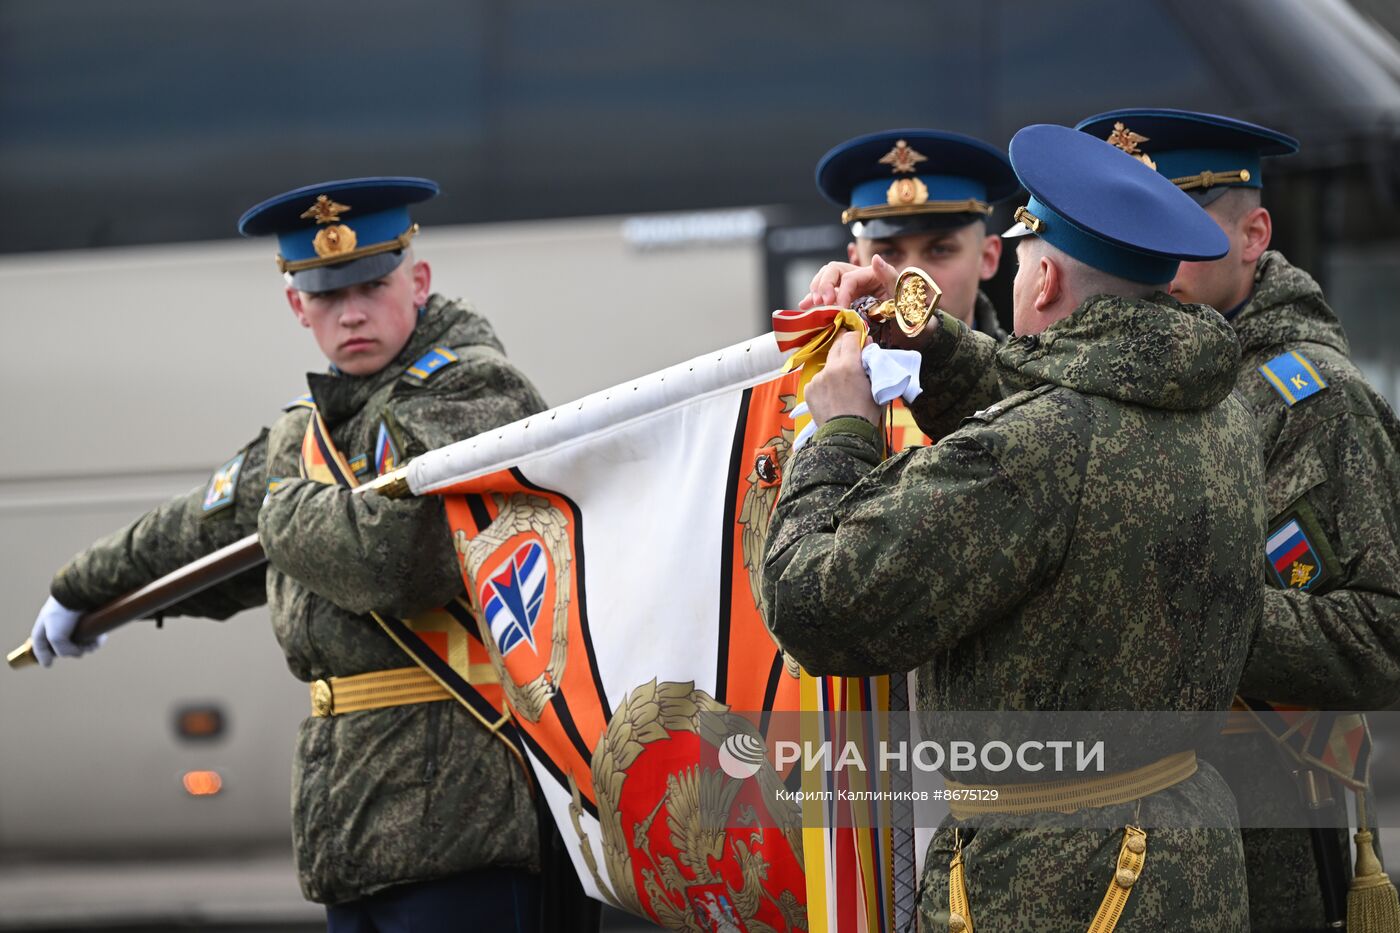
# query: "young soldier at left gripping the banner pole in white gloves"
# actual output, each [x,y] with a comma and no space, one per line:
[401,810]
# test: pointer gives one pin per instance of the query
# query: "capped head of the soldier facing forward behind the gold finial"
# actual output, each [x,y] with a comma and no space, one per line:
[918,198]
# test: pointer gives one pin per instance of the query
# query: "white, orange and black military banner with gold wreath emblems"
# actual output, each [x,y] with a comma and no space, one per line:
[611,553]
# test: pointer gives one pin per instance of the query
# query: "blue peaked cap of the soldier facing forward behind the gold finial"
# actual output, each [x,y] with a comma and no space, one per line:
[913,180]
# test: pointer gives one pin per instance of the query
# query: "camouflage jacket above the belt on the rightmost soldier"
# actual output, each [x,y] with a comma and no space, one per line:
[1331,633]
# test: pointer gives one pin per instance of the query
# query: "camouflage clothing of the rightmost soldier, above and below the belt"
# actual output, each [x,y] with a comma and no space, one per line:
[1333,460]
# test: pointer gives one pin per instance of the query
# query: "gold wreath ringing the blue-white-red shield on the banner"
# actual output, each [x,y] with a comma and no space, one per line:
[519,515]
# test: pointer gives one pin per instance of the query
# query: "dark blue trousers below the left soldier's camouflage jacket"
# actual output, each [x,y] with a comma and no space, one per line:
[492,901]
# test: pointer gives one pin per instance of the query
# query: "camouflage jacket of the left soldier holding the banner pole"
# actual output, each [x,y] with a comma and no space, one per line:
[386,796]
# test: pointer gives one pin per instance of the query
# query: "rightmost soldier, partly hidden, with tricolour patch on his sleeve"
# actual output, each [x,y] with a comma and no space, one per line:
[1331,631]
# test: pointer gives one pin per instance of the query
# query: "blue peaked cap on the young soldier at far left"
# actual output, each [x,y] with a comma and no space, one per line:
[341,233]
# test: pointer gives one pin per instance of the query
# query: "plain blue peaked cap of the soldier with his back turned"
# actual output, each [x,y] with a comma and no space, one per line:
[1107,209]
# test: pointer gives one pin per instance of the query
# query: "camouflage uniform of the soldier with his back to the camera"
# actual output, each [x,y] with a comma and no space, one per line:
[1090,541]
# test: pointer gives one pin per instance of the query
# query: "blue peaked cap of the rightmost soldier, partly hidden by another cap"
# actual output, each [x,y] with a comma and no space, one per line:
[1205,155]
